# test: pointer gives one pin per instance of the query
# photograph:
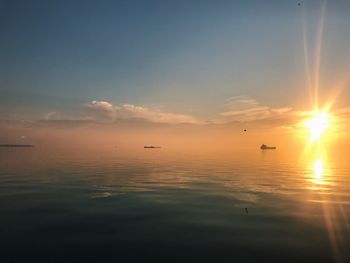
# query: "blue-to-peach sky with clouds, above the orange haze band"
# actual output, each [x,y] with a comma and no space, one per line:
[172,61]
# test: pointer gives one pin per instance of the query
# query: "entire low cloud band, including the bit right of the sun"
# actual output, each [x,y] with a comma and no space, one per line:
[236,109]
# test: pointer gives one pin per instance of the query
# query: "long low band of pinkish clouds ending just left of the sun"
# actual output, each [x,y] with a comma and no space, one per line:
[237,109]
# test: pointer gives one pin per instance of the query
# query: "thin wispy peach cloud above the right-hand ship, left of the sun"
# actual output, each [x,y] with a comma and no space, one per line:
[243,109]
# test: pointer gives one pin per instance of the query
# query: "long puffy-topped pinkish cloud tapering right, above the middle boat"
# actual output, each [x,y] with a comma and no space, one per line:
[103,110]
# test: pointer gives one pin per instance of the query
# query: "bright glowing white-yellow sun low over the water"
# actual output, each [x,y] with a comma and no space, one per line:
[318,125]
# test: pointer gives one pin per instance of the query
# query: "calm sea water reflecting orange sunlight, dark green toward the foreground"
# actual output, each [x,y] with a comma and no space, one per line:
[159,205]
